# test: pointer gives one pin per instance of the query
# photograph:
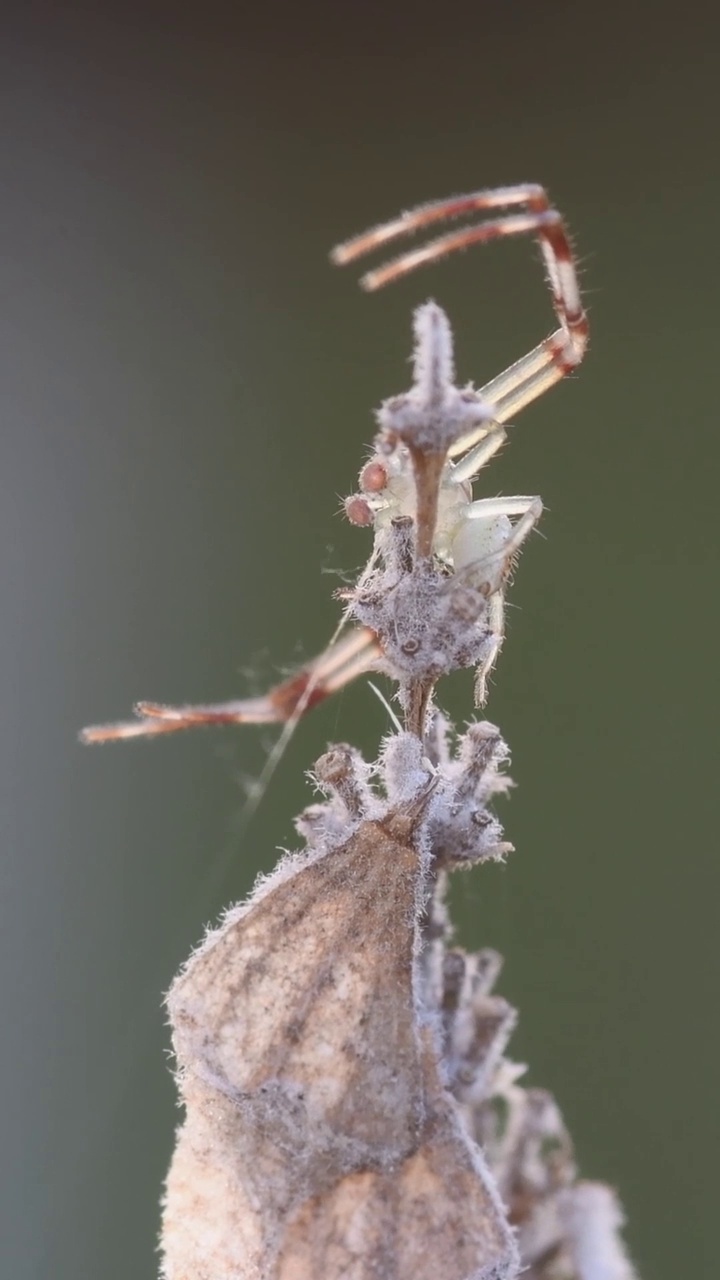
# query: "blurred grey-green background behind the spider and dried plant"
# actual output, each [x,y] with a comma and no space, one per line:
[186,390]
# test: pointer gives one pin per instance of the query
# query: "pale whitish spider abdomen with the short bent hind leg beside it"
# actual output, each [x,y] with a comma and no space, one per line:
[485,546]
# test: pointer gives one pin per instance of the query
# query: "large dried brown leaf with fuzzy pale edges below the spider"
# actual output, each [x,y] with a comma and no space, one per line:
[320,1141]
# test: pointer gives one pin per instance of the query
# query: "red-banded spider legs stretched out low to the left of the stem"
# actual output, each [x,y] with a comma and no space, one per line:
[343,662]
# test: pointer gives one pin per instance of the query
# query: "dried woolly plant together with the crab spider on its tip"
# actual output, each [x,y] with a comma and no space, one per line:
[349,1109]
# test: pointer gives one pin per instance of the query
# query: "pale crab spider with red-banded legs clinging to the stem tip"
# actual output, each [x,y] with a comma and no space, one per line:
[475,540]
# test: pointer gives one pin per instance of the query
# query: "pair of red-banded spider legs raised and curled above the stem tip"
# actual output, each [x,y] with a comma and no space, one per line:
[555,358]
